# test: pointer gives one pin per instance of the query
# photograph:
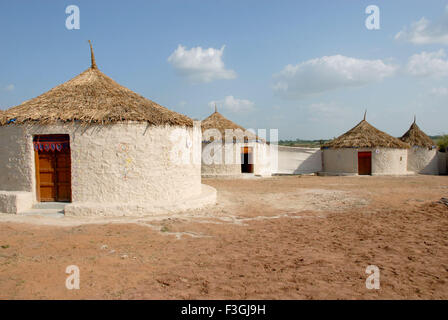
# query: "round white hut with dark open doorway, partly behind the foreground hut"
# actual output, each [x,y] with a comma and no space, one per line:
[229,150]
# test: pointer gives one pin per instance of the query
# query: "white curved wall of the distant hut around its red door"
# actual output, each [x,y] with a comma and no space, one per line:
[385,161]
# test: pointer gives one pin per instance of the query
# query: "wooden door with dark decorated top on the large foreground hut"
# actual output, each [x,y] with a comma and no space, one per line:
[53,168]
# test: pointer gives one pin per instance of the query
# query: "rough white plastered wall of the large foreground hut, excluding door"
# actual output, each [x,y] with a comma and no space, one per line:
[112,165]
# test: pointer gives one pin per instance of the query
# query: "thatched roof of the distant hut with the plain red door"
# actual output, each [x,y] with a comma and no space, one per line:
[364,135]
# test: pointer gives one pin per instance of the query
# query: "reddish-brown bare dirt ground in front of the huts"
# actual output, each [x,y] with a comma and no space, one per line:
[276,238]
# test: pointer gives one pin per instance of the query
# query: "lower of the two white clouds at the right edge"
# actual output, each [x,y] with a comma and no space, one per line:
[428,64]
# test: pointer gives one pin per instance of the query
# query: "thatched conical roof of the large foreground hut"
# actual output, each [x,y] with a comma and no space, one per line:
[92,97]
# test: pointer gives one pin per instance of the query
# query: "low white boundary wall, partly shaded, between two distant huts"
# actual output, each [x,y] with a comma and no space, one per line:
[298,160]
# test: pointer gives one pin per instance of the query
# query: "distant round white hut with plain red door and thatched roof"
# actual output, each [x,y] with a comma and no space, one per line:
[364,150]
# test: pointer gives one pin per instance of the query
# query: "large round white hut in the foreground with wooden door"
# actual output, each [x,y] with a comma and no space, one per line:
[103,149]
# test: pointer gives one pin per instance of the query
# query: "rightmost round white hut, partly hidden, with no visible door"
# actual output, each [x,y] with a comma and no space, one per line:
[422,156]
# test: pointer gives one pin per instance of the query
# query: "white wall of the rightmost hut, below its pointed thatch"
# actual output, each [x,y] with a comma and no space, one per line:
[423,160]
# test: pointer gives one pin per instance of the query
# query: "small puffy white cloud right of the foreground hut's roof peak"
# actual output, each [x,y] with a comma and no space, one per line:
[200,65]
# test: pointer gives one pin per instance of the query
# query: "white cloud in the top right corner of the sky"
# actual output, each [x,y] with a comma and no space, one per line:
[424,31]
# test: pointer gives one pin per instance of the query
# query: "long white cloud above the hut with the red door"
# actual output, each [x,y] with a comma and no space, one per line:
[328,73]
